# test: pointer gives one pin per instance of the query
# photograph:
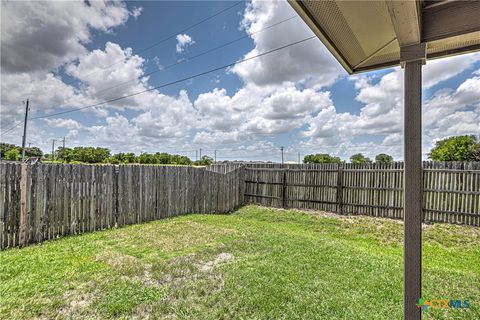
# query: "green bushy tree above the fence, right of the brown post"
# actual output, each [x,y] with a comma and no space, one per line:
[460,148]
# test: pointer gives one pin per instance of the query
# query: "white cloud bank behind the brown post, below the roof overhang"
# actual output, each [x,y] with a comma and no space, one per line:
[447,113]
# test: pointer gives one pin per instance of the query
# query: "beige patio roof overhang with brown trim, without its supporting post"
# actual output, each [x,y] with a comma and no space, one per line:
[367,35]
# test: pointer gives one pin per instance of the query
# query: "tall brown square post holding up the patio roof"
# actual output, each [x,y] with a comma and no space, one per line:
[413,190]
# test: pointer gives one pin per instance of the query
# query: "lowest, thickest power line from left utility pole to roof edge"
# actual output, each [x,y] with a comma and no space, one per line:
[176,81]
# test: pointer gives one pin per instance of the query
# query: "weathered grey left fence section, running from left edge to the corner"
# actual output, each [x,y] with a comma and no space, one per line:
[40,202]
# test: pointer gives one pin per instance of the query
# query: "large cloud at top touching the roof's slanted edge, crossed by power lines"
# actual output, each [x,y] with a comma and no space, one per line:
[309,62]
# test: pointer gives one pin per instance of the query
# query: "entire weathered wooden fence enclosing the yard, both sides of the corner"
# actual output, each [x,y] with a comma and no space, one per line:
[39,202]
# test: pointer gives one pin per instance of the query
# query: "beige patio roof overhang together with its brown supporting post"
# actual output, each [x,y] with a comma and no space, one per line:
[369,35]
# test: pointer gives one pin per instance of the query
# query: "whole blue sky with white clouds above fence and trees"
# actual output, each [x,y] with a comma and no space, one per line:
[66,56]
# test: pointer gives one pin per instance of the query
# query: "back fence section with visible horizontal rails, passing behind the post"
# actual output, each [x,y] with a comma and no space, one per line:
[451,190]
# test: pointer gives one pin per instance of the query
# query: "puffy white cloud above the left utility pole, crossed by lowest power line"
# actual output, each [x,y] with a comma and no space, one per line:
[97,71]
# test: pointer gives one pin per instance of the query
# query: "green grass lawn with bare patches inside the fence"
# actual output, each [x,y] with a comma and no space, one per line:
[257,263]
